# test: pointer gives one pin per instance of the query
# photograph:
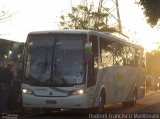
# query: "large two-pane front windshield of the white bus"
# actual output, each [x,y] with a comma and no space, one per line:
[55,59]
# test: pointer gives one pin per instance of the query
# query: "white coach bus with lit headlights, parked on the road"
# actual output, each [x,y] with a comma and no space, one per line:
[80,69]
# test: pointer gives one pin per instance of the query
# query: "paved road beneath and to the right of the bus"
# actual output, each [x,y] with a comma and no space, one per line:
[148,107]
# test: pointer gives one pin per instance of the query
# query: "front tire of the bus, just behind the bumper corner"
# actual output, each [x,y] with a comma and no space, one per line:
[101,102]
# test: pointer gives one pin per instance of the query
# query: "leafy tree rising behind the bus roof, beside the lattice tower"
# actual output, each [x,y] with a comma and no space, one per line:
[85,16]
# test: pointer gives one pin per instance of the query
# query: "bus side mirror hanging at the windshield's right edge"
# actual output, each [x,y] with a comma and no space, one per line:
[88,50]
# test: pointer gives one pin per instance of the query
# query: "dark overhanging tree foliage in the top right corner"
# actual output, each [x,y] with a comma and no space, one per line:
[151,10]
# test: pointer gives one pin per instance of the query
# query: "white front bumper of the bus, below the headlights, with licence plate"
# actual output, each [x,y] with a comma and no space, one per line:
[68,102]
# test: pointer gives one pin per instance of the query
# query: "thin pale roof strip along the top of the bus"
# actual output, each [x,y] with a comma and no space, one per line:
[77,31]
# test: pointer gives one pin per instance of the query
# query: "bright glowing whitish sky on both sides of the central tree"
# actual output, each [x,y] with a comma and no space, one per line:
[33,15]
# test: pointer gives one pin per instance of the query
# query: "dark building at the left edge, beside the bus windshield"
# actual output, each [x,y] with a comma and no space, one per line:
[11,51]
